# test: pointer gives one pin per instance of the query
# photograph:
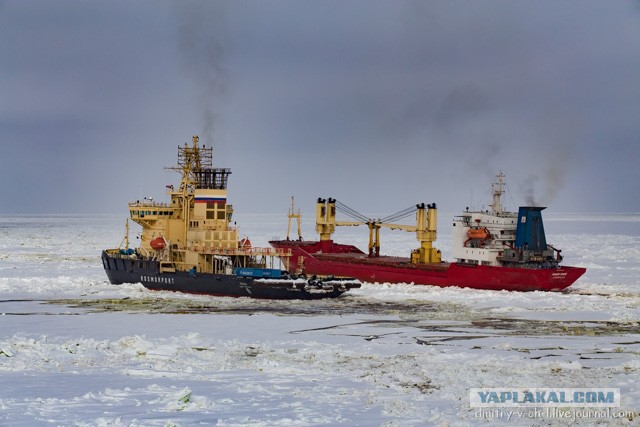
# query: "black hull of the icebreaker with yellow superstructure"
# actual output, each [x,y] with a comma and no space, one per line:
[130,270]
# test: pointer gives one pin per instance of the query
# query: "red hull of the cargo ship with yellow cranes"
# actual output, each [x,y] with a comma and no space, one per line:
[328,258]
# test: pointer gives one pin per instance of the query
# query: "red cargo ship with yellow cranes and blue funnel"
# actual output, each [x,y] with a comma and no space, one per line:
[493,249]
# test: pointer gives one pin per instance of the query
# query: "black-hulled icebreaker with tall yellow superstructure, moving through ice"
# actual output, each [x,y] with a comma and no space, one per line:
[189,245]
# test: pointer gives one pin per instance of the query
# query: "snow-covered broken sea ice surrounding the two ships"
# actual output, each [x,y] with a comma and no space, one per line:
[75,350]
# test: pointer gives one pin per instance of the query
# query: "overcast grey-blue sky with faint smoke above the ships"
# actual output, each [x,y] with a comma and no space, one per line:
[380,104]
